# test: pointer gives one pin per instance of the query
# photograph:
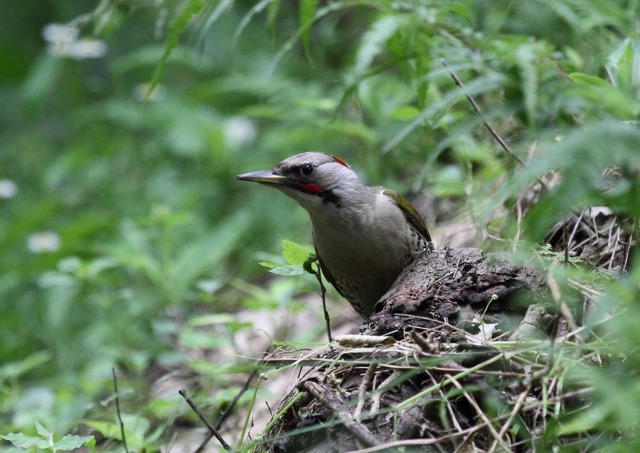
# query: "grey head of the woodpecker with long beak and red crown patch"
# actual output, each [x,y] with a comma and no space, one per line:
[313,179]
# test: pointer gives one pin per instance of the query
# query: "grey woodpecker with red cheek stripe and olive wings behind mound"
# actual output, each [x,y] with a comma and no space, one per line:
[364,236]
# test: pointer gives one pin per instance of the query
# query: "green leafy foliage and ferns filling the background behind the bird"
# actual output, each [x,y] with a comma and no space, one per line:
[120,217]
